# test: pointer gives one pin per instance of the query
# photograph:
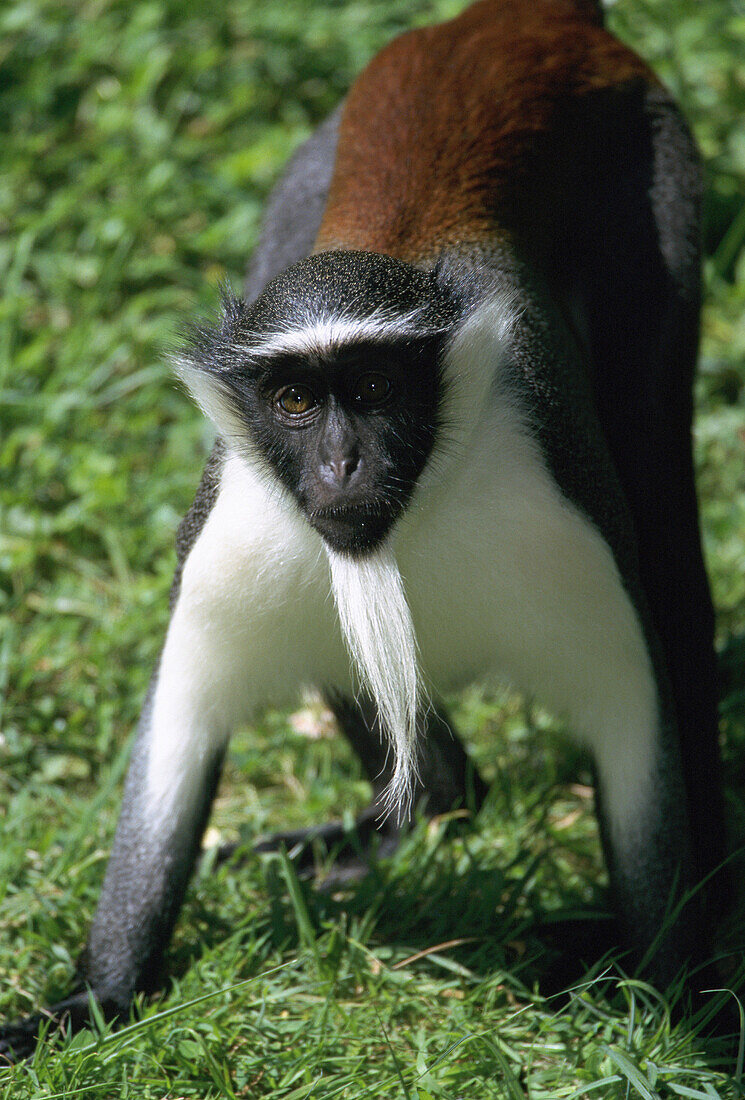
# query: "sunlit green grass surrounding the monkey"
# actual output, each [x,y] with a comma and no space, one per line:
[139,142]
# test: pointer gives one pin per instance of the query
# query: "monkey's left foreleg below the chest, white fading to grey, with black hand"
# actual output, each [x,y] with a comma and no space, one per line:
[169,793]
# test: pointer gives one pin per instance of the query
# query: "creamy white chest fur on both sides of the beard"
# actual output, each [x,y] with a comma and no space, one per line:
[505,578]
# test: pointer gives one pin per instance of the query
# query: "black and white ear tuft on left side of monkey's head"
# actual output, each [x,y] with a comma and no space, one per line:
[206,361]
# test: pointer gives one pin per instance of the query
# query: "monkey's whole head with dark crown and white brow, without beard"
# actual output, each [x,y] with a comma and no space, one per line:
[346,422]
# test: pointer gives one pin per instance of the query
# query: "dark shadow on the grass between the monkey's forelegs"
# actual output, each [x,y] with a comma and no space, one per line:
[425,895]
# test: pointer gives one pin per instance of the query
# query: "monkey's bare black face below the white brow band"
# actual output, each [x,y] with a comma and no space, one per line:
[349,433]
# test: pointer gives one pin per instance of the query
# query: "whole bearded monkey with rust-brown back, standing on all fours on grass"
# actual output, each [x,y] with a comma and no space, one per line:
[454,444]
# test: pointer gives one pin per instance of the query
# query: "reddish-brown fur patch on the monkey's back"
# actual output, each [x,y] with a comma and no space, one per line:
[479,128]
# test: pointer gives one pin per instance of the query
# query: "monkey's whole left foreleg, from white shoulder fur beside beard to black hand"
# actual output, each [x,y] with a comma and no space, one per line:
[242,635]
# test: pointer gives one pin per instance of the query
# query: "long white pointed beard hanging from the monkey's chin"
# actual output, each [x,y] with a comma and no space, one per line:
[379,632]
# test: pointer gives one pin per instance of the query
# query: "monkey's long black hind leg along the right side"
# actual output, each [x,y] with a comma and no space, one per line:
[648,423]
